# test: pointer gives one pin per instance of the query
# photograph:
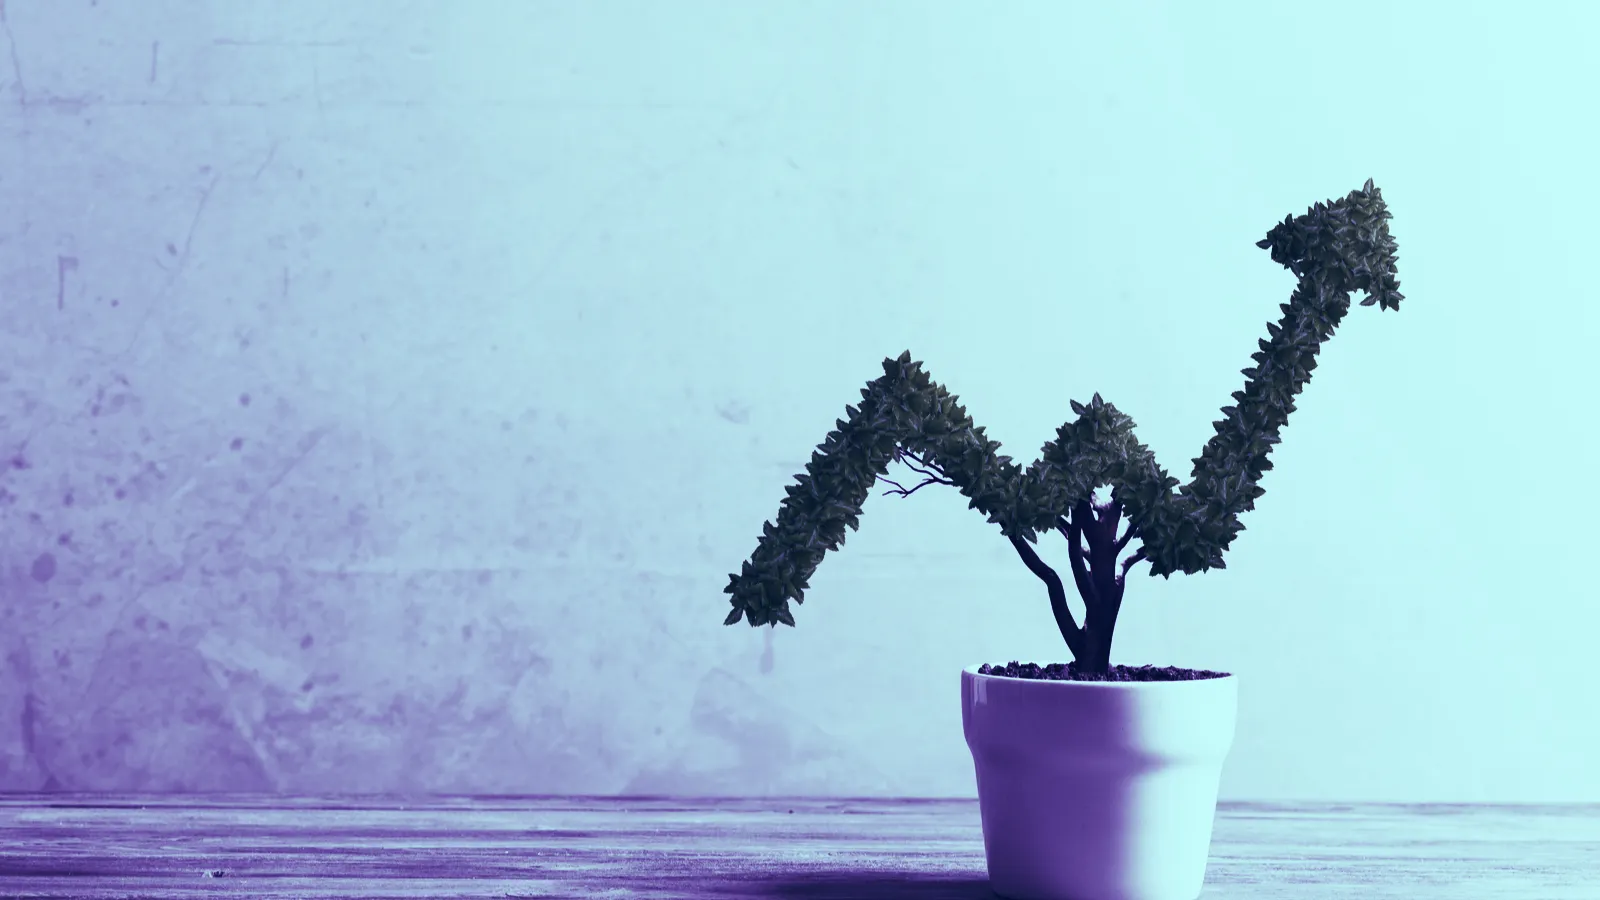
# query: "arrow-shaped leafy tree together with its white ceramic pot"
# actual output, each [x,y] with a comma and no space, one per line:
[1095,782]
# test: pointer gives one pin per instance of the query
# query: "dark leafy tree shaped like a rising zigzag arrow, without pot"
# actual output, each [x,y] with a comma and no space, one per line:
[1334,251]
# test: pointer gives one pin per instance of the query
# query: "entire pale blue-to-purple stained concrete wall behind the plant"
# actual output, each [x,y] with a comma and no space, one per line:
[388,388]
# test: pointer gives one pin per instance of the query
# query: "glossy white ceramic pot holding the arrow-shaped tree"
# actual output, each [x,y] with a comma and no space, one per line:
[1098,790]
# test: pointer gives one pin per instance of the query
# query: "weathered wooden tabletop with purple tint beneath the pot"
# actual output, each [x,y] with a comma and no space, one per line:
[105,846]
